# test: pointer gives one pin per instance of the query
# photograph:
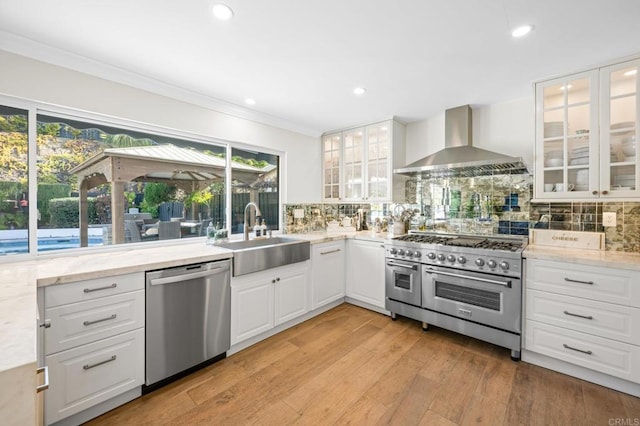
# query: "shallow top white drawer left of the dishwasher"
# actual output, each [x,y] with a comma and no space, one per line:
[92,289]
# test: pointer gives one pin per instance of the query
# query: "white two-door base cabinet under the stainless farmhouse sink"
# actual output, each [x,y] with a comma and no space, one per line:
[265,299]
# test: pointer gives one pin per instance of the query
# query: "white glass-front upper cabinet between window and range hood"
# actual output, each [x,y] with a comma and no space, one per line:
[358,163]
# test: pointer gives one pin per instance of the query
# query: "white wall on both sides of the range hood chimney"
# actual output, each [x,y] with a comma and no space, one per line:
[506,127]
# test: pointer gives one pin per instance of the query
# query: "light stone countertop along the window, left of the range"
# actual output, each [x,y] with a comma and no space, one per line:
[19,281]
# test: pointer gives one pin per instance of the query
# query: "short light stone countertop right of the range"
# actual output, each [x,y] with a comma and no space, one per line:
[619,260]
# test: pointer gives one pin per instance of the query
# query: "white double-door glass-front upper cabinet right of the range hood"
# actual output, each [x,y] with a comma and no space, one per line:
[586,127]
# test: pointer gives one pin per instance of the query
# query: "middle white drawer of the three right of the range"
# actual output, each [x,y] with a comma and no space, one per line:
[598,318]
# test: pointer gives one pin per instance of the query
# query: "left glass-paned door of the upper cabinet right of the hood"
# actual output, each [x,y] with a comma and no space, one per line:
[566,136]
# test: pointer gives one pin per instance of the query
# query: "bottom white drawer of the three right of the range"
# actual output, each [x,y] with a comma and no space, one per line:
[604,355]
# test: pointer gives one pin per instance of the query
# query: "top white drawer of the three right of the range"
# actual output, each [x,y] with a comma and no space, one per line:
[603,284]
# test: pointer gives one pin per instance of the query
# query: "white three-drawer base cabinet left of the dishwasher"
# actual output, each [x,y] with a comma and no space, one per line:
[93,344]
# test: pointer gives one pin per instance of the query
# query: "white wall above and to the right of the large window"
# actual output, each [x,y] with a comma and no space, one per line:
[38,81]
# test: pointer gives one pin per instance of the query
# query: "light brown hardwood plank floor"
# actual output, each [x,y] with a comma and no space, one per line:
[353,366]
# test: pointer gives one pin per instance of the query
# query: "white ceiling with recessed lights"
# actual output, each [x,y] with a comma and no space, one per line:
[300,60]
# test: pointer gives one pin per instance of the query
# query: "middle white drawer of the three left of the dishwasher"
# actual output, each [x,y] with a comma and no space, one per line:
[75,324]
